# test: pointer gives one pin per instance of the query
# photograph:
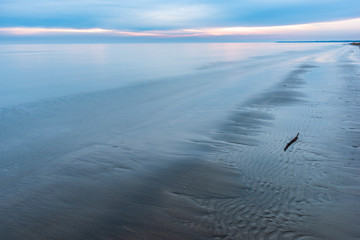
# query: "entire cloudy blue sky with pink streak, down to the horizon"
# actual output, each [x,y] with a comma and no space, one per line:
[178,21]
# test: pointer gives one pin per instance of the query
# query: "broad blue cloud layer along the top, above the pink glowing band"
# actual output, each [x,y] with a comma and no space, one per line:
[166,15]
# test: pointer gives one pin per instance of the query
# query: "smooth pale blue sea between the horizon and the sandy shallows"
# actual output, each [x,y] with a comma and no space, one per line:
[33,72]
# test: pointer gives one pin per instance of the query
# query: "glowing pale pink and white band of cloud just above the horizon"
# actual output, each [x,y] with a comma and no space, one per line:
[314,31]
